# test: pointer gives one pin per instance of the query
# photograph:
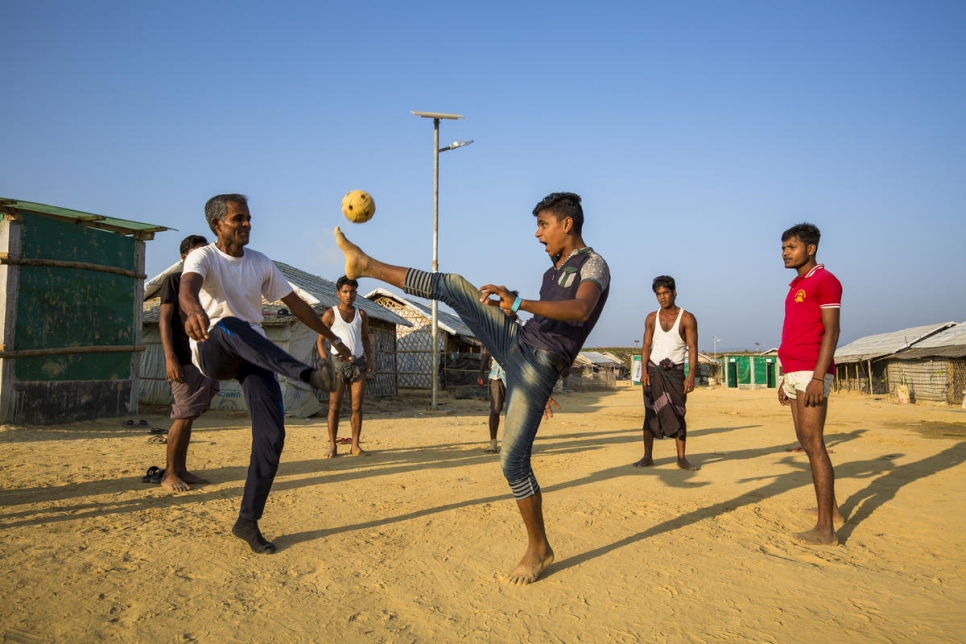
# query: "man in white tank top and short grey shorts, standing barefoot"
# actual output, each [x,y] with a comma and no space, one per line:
[351,324]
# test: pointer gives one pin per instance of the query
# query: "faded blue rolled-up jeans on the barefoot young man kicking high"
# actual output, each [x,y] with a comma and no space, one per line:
[530,373]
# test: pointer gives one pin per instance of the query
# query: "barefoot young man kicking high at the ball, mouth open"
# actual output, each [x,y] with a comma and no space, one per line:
[534,355]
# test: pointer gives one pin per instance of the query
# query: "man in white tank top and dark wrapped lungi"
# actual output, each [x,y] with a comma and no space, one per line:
[669,334]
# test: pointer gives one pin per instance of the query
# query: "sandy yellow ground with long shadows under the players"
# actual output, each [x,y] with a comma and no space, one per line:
[407,545]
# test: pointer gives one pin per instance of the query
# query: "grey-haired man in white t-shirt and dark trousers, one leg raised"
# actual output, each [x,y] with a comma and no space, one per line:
[222,287]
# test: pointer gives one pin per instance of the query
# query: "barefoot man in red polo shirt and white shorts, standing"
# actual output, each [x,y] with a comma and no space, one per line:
[809,336]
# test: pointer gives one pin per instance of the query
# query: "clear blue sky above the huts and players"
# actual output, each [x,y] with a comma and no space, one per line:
[696,132]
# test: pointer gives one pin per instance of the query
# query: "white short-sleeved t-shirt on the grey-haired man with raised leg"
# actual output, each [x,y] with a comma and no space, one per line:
[234,286]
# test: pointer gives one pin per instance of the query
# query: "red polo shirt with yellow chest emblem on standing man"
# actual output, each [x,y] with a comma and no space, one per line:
[803,330]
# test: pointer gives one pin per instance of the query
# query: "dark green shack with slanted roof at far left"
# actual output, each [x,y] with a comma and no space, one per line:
[71,328]
